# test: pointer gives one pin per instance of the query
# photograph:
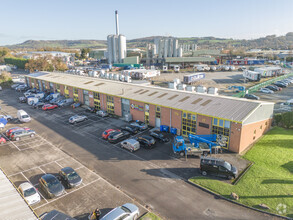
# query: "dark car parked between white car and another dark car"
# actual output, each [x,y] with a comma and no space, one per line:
[51,185]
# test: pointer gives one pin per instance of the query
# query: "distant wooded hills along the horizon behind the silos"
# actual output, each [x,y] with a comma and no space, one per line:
[271,41]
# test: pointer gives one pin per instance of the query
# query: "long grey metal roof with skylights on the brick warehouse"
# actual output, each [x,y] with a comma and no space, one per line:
[230,108]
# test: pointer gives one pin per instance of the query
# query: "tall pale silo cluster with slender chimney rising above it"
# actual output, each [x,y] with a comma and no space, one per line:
[116,51]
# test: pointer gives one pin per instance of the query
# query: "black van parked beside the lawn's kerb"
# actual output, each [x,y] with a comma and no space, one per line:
[216,166]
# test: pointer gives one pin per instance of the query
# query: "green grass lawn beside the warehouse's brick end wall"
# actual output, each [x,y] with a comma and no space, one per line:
[270,179]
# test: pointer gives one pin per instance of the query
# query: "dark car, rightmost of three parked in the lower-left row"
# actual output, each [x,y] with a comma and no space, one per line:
[69,178]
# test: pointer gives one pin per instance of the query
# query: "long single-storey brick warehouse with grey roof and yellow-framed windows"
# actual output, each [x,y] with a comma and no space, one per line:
[241,121]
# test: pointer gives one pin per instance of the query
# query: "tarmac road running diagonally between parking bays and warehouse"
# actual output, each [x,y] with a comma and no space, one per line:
[146,180]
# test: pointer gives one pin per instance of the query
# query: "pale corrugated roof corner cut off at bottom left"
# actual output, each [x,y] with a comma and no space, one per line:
[12,205]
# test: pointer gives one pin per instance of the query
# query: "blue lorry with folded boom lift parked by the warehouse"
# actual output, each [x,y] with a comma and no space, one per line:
[197,144]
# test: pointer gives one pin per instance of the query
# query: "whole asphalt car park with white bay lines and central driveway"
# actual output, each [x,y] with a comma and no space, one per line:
[111,175]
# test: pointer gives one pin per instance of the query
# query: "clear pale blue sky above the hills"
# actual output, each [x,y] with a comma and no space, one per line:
[94,19]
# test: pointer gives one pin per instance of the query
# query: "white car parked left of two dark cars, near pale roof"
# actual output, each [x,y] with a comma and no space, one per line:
[30,193]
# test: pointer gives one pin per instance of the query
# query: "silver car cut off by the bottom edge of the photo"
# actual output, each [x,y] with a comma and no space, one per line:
[127,211]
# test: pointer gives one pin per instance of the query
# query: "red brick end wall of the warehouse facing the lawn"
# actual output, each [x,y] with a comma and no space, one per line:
[252,132]
